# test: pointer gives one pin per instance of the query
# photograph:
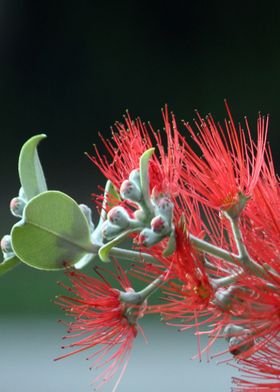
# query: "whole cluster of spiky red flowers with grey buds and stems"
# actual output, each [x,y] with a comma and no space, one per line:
[202,210]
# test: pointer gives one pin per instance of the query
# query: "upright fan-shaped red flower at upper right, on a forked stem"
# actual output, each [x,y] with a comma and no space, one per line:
[228,165]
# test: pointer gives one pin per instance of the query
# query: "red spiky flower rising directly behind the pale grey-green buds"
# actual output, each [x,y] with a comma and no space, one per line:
[130,141]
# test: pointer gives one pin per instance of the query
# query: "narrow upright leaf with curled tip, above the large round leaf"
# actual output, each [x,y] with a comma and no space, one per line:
[30,170]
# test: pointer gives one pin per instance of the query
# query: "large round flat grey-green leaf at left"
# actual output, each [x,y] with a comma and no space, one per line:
[52,232]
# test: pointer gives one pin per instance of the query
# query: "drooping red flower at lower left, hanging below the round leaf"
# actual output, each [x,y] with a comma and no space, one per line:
[102,322]
